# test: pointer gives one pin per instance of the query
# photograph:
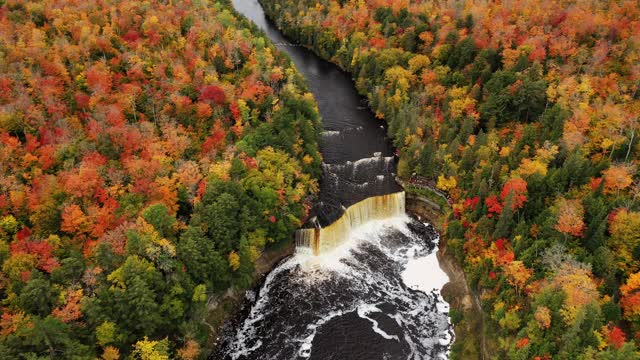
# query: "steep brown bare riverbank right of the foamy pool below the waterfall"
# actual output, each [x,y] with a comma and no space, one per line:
[466,310]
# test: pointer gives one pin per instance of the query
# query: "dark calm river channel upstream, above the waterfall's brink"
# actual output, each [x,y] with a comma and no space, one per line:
[357,153]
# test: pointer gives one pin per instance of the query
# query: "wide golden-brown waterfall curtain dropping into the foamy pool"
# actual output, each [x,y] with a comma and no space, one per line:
[321,240]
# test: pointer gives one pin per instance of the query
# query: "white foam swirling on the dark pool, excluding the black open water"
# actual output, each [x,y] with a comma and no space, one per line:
[345,262]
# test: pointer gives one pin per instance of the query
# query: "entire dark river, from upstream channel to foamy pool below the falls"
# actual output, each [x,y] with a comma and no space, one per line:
[375,295]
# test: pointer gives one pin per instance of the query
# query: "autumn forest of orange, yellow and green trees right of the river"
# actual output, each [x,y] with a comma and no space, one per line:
[526,114]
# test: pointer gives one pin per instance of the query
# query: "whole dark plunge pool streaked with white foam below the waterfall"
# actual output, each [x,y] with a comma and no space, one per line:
[377,296]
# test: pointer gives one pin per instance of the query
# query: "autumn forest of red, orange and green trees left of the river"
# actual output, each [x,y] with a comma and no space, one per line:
[150,151]
